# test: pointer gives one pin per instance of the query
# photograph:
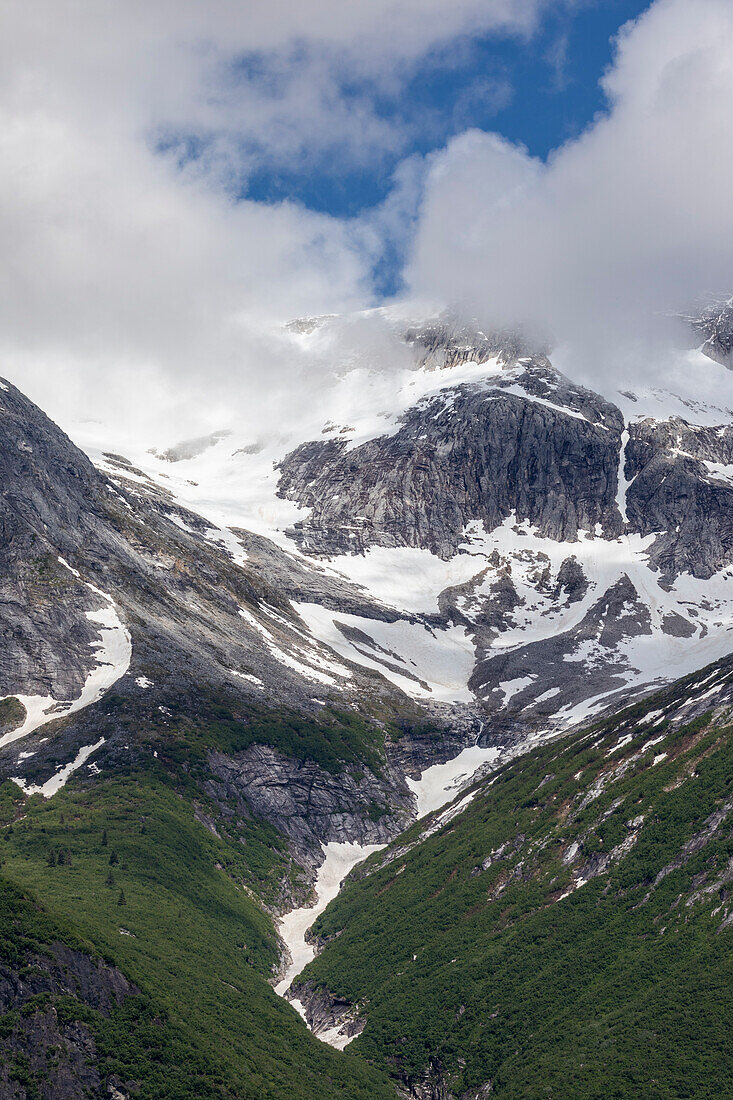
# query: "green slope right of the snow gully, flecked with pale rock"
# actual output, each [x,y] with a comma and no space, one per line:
[570,933]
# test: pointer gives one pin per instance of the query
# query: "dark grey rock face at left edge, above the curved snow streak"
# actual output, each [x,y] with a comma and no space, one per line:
[49,494]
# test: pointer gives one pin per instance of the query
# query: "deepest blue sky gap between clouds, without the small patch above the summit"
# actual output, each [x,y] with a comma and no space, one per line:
[539,92]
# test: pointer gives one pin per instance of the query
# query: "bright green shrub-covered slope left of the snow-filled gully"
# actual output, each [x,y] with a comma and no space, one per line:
[124,868]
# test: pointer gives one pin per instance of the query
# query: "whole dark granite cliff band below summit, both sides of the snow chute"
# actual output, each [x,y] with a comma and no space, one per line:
[527,445]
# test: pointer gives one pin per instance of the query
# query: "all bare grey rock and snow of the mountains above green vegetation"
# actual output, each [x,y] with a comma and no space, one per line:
[454,537]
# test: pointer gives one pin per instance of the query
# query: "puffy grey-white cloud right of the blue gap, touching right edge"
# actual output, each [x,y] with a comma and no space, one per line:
[628,223]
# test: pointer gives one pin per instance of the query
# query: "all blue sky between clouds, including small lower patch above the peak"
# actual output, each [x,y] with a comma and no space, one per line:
[539,91]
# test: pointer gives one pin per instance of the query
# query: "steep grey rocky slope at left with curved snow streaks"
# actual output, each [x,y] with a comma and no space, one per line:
[116,587]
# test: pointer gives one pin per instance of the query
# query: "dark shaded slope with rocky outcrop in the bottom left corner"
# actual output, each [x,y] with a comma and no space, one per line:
[68,1031]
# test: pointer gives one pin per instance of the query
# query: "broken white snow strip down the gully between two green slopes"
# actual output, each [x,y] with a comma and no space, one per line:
[435,788]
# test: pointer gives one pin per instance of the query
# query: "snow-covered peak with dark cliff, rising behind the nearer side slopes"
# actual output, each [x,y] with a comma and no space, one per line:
[512,543]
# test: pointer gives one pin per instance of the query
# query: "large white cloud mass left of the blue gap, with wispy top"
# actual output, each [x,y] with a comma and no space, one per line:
[126,277]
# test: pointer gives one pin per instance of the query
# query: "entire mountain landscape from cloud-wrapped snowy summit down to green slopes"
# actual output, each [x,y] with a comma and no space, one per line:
[453,620]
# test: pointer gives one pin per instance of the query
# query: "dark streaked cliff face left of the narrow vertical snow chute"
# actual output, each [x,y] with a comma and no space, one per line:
[531,445]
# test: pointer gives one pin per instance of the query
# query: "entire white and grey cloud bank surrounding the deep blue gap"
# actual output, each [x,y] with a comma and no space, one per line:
[136,277]
